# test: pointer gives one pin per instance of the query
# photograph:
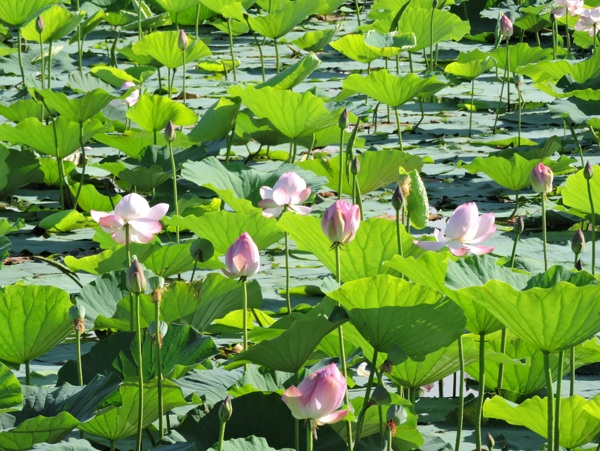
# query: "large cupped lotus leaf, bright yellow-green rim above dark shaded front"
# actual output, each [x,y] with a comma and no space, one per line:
[392,313]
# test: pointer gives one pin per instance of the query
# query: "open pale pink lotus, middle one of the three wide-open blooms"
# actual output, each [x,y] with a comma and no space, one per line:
[289,191]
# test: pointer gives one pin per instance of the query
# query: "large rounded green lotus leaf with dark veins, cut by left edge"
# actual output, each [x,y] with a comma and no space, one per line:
[33,320]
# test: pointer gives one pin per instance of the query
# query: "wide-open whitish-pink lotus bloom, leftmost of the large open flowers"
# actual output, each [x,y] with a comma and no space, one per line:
[135,211]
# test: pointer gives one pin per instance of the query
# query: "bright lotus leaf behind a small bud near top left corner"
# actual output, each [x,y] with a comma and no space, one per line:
[58,21]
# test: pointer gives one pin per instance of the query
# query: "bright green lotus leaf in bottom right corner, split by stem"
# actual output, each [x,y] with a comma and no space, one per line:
[577,425]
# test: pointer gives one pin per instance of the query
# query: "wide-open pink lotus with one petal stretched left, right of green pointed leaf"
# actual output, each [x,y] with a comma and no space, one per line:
[464,229]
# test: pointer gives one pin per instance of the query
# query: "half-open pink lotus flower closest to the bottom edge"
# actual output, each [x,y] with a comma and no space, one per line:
[318,396]
